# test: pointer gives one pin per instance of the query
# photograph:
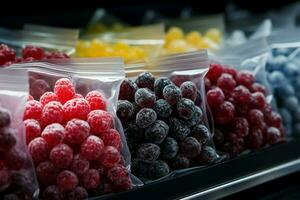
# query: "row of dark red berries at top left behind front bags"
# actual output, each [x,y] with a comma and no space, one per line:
[29,53]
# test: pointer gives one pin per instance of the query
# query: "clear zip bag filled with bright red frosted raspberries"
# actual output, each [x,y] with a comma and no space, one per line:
[73,135]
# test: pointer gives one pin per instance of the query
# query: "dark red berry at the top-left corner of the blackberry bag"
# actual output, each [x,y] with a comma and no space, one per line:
[127,90]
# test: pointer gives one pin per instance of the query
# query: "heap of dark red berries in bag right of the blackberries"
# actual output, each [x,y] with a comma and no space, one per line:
[241,114]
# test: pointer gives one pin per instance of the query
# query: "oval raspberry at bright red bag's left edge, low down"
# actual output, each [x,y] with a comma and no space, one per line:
[39,150]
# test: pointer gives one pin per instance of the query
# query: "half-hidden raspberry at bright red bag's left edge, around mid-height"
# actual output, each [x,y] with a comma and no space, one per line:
[33,129]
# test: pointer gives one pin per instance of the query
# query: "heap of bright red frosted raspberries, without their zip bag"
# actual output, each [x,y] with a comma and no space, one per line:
[73,144]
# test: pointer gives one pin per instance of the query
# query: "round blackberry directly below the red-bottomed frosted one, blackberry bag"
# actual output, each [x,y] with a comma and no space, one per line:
[145,117]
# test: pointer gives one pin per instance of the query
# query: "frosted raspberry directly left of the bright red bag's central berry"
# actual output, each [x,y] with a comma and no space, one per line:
[53,134]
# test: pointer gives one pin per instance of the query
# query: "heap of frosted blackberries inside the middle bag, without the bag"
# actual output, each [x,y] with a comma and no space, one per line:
[163,124]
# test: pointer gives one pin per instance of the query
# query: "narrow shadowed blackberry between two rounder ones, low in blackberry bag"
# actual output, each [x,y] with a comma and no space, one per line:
[169,148]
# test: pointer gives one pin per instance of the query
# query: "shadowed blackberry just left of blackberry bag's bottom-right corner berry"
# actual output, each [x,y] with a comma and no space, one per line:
[190,147]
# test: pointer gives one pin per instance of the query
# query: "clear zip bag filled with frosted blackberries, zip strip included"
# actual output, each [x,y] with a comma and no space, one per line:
[162,107]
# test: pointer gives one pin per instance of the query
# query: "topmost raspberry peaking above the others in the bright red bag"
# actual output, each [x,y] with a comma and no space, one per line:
[64,89]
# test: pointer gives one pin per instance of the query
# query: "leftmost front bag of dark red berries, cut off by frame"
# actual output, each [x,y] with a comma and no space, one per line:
[17,176]
